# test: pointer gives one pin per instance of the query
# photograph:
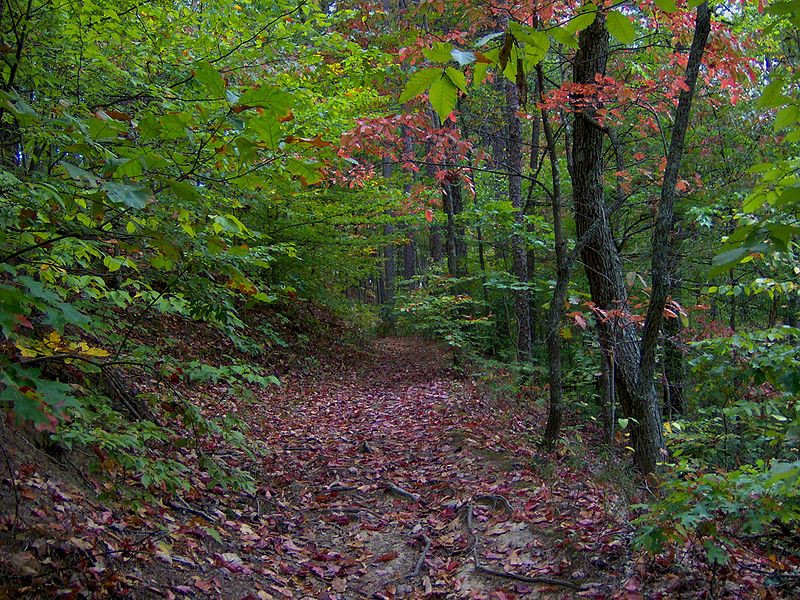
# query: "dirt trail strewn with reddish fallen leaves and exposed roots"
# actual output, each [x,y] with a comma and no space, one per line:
[389,477]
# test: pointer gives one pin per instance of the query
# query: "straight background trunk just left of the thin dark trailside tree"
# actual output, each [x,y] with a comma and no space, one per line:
[513,164]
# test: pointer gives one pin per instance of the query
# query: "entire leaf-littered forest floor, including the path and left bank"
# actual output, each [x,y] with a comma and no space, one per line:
[383,474]
